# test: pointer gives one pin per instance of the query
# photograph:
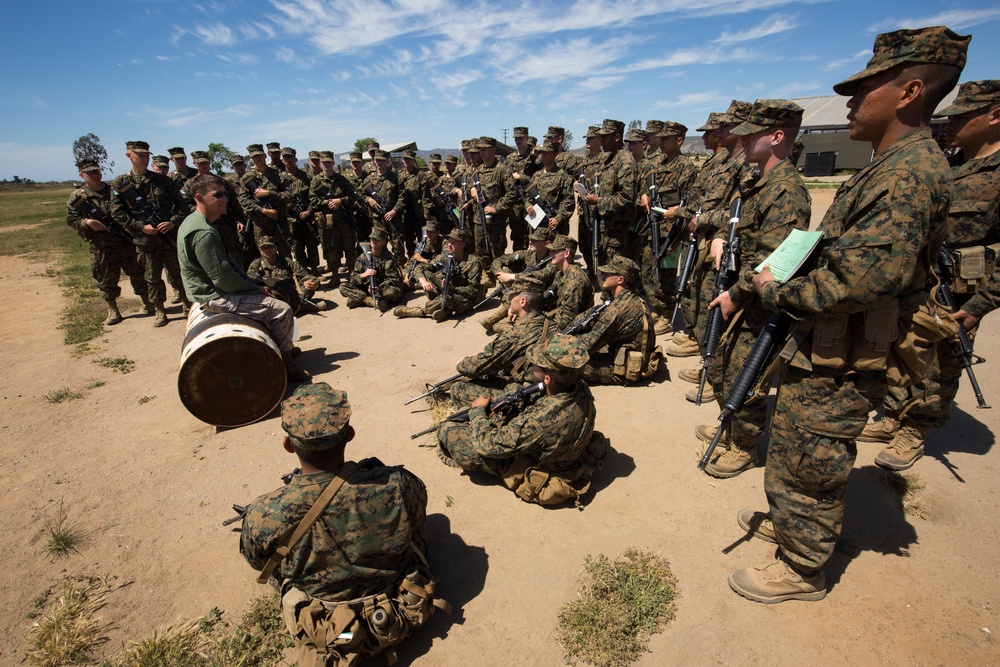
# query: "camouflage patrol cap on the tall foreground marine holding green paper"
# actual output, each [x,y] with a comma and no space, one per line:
[935,45]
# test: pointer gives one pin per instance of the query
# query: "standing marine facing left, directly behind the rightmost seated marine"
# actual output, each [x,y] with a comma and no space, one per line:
[615,193]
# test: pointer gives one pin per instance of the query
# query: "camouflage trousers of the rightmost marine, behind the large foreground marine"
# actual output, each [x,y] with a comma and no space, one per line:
[926,405]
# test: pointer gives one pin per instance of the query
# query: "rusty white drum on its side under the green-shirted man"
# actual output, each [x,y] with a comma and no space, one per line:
[231,371]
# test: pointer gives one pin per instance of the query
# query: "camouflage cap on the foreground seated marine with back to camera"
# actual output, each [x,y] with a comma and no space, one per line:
[316,417]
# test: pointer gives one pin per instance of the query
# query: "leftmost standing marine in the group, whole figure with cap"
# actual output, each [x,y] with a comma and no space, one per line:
[110,252]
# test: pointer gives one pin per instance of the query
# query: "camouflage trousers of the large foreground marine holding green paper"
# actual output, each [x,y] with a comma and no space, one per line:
[810,455]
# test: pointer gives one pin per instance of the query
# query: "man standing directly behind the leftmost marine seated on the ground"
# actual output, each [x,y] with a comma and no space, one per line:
[267,178]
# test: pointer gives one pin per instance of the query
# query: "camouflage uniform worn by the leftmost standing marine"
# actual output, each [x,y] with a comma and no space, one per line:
[110,254]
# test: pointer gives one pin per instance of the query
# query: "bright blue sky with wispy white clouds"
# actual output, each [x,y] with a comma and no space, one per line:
[318,74]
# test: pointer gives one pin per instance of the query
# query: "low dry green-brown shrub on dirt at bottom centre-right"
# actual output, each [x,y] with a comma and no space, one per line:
[620,605]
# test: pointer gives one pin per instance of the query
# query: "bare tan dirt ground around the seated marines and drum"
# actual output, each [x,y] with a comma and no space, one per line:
[152,486]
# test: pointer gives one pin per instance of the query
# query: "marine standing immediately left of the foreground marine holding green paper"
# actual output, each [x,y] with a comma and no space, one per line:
[773,205]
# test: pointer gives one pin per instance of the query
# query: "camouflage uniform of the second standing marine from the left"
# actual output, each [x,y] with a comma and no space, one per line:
[157,253]
